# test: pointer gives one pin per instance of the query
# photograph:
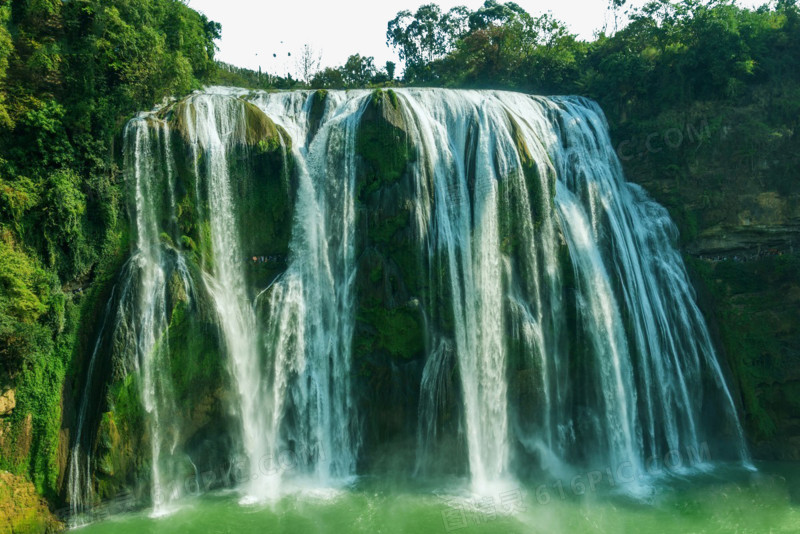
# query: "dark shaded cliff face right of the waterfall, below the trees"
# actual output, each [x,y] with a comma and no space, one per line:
[730,178]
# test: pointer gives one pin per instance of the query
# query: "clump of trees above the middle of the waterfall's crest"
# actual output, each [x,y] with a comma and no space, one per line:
[498,45]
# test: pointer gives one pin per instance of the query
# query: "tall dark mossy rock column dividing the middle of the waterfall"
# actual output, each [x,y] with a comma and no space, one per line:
[389,339]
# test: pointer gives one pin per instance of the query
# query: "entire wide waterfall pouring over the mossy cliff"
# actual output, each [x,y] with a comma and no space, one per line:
[558,324]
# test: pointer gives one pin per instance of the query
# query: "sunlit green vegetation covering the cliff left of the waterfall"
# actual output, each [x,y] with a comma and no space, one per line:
[70,74]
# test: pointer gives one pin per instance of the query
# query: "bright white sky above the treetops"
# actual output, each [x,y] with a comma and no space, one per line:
[252,30]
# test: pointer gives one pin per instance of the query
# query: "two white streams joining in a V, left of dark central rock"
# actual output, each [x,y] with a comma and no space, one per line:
[304,356]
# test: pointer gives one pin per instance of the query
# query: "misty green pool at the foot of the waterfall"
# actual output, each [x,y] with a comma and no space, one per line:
[723,501]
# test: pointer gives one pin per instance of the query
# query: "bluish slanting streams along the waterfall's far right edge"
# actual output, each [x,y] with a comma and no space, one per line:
[670,345]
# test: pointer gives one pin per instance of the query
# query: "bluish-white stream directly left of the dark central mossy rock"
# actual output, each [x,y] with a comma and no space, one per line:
[311,335]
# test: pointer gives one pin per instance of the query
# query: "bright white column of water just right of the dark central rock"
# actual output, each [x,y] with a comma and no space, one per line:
[465,228]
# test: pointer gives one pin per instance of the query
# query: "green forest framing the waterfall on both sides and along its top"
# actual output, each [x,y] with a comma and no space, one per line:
[724,77]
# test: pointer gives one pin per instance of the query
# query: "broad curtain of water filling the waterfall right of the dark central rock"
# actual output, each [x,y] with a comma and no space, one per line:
[625,270]
